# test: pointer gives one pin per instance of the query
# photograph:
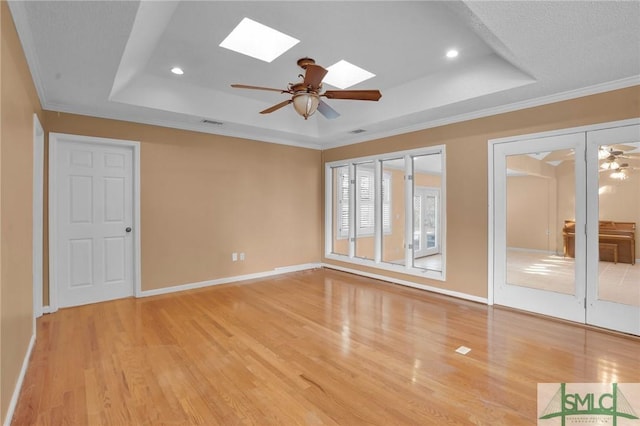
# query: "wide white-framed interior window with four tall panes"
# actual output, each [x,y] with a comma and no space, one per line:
[395,205]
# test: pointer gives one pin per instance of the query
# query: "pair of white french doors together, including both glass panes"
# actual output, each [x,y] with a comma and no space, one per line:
[550,197]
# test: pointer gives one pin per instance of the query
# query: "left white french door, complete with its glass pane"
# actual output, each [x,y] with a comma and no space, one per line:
[530,271]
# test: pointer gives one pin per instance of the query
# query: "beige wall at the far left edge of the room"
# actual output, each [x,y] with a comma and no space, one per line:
[19,102]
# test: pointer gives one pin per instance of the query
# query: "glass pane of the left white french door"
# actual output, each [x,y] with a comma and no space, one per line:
[540,221]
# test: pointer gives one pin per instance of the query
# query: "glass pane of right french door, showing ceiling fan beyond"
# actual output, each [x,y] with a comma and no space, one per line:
[619,214]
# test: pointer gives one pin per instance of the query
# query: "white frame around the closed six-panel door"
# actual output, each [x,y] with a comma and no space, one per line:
[54,143]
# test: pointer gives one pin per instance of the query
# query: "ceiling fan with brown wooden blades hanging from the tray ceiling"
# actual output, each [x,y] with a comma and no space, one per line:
[307,93]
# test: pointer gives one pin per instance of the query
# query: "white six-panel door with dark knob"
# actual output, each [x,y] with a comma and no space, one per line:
[94,219]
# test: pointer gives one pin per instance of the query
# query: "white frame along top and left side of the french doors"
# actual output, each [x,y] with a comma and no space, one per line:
[491,183]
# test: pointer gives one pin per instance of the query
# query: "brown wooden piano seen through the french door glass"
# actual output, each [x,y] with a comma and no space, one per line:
[617,240]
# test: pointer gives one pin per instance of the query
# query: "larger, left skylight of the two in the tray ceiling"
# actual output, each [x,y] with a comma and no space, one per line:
[254,39]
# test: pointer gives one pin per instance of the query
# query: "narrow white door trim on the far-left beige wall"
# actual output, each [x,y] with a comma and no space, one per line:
[38,220]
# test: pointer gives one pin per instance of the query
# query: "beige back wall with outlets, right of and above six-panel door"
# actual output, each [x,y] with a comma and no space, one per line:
[206,196]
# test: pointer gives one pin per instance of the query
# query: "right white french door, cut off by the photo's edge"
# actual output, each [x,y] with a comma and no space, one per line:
[613,289]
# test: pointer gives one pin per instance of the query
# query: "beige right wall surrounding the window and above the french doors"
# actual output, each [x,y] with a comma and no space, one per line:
[466,148]
